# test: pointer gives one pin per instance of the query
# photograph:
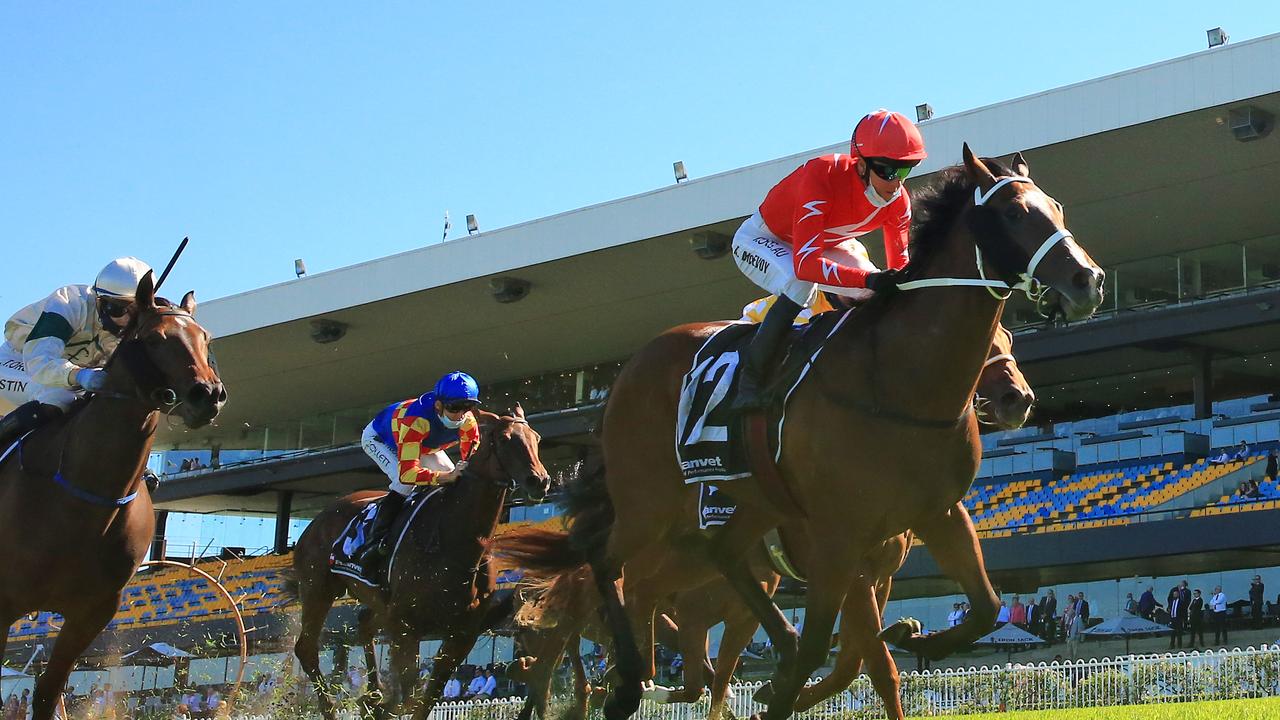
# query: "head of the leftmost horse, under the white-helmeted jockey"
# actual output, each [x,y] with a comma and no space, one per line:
[163,361]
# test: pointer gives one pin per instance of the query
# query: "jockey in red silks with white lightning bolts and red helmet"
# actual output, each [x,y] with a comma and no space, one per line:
[803,236]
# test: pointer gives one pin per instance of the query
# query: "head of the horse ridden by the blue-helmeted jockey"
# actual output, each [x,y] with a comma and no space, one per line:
[509,453]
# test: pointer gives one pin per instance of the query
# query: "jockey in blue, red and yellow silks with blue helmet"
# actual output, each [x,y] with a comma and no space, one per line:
[420,430]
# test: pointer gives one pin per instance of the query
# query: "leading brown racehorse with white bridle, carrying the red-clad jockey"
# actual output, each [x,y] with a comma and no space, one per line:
[889,444]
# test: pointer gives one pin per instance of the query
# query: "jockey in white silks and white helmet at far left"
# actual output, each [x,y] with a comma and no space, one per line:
[56,349]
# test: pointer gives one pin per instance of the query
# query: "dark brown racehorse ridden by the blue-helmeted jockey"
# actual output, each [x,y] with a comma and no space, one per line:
[438,584]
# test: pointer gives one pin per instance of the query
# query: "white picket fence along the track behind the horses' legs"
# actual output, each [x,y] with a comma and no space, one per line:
[1132,680]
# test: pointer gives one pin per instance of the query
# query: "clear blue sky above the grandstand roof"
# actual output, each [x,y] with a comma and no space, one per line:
[342,133]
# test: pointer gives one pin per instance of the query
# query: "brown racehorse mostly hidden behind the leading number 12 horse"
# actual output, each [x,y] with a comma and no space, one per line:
[1005,399]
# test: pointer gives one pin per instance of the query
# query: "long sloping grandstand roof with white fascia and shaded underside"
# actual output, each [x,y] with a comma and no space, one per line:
[1141,161]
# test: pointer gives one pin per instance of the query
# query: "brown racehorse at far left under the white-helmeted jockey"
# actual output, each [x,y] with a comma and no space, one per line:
[83,539]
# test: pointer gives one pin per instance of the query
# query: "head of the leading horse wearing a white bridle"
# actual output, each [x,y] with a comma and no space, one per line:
[1027,243]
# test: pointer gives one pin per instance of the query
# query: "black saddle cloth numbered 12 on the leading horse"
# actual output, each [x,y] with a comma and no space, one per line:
[710,443]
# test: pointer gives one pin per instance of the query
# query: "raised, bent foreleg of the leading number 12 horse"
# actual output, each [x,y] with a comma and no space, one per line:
[954,545]
